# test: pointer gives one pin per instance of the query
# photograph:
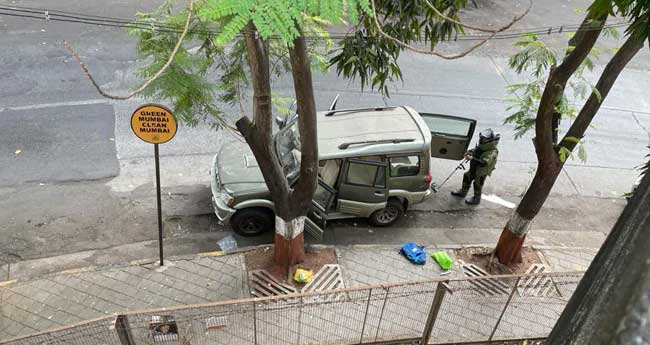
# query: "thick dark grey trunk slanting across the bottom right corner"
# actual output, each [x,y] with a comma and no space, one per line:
[611,304]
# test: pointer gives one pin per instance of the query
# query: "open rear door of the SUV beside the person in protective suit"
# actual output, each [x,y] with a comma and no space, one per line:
[450,135]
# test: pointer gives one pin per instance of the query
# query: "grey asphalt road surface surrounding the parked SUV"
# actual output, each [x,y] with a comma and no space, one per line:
[82,181]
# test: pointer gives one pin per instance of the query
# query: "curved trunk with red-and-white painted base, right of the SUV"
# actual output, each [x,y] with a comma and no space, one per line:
[508,249]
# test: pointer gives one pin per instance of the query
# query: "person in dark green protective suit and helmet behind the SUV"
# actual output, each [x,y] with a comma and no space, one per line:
[483,160]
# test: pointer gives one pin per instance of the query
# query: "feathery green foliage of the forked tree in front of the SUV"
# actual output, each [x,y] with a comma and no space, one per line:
[214,44]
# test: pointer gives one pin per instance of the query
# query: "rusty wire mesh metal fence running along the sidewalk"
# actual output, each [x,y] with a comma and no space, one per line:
[438,311]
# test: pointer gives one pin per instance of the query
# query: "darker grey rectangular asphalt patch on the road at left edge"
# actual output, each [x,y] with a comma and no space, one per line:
[69,143]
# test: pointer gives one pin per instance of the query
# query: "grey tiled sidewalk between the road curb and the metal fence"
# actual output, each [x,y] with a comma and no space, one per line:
[72,296]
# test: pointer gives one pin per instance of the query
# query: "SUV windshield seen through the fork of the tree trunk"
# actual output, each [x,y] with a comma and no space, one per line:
[287,145]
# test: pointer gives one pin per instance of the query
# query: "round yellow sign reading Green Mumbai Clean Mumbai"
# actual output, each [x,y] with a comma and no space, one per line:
[154,124]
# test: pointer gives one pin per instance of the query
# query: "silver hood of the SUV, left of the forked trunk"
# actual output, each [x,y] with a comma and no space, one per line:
[238,169]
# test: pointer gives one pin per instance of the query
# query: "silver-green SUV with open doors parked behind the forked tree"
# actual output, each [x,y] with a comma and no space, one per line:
[374,163]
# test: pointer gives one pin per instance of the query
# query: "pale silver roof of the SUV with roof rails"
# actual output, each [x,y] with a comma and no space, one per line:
[374,124]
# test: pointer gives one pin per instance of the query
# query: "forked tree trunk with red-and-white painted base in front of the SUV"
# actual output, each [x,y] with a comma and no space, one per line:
[291,203]
